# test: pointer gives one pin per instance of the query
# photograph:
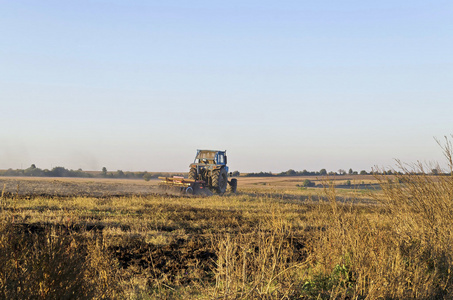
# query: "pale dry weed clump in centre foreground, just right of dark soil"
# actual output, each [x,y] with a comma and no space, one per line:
[260,264]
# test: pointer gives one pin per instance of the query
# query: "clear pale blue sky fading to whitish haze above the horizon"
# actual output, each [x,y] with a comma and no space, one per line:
[140,85]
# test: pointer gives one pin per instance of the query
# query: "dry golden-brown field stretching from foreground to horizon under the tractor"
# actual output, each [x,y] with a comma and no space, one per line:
[356,237]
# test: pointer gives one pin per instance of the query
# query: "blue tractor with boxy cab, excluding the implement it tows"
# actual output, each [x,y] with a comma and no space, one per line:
[210,166]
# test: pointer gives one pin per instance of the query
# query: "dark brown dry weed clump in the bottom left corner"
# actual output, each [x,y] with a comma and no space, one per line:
[49,262]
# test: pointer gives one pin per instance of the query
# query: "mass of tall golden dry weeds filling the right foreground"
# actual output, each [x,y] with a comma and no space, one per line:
[399,249]
